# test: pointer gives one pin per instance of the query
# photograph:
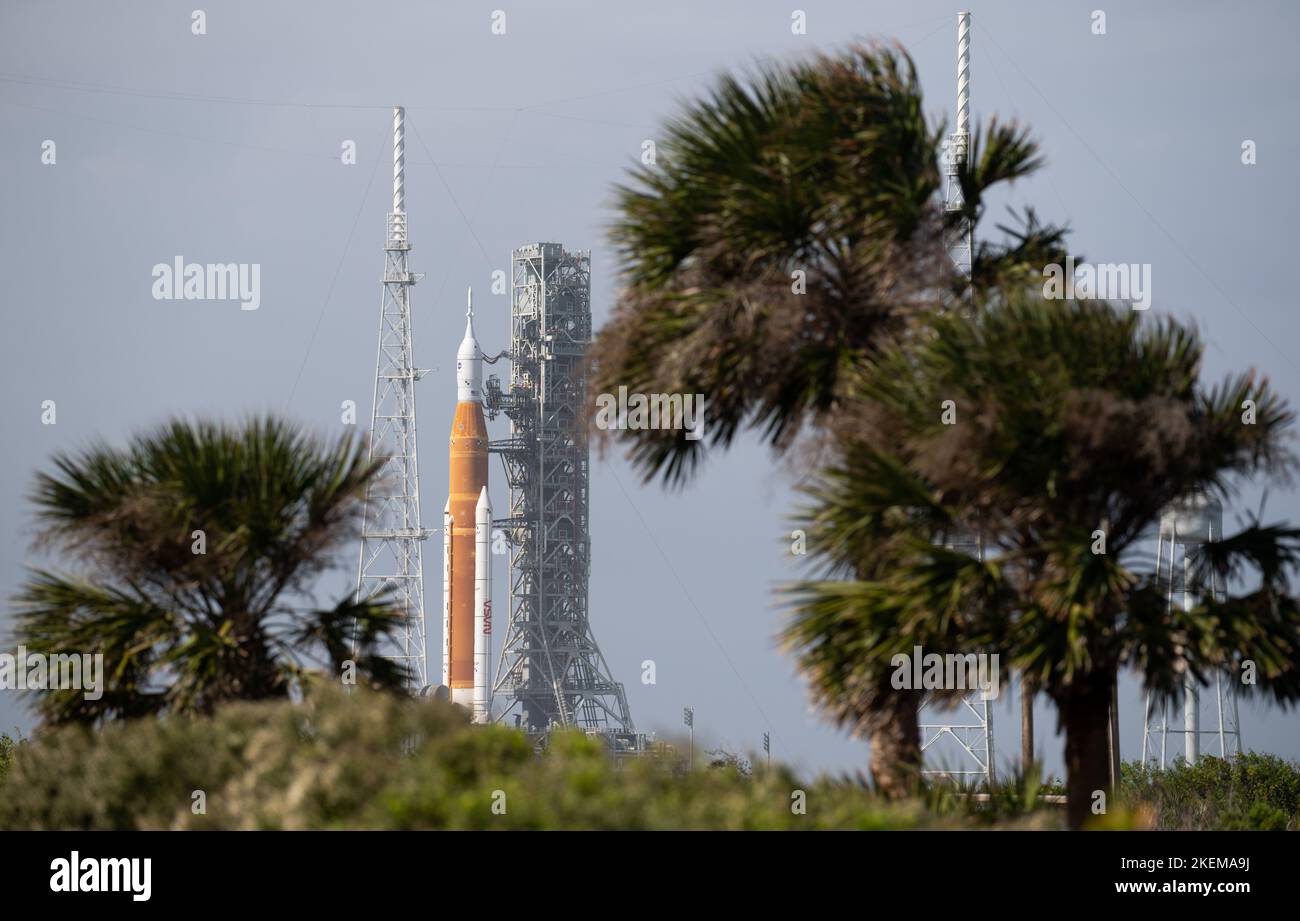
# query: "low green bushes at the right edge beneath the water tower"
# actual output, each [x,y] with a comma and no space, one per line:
[1246,793]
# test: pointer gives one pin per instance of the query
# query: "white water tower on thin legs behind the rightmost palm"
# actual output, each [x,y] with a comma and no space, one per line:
[1184,529]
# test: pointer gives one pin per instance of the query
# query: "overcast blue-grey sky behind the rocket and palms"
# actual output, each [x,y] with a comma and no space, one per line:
[226,148]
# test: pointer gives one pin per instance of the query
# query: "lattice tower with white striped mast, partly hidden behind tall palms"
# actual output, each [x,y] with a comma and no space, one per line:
[960,750]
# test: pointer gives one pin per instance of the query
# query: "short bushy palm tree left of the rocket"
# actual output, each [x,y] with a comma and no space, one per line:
[197,547]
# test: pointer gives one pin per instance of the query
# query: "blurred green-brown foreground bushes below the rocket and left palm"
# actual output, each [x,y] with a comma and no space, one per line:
[375,762]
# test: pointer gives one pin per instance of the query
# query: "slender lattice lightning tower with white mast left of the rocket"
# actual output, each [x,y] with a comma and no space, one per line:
[391,559]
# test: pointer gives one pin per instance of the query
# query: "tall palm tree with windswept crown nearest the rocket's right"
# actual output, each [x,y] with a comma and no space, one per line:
[791,227]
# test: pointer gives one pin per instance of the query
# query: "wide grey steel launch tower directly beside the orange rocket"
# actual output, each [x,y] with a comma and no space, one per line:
[551,672]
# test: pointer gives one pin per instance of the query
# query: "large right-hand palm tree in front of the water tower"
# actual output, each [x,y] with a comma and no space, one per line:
[1072,420]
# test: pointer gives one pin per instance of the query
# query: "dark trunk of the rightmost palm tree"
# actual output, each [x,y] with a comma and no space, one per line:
[1086,716]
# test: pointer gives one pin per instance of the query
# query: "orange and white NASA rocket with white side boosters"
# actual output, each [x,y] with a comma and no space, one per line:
[467,539]
